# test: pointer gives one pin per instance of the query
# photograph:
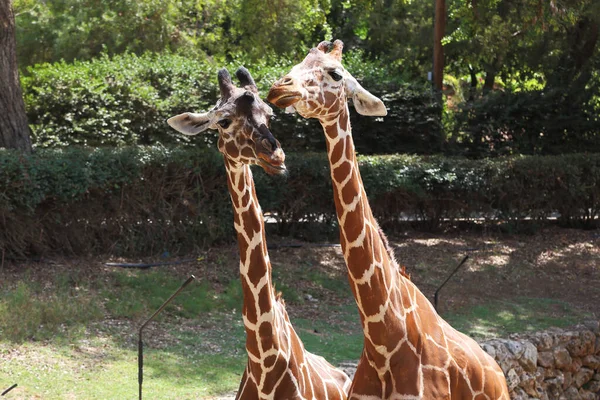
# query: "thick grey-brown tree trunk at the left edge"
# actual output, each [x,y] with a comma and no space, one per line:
[14,131]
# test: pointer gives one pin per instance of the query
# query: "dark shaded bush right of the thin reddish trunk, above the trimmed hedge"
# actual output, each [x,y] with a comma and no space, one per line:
[530,122]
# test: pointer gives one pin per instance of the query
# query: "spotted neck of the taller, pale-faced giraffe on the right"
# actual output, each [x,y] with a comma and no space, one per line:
[372,273]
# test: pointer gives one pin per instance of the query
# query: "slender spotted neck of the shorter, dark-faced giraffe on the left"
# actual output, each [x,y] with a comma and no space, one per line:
[259,302]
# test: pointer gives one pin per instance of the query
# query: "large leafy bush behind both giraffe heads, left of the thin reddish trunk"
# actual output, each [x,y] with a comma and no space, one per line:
[125,100]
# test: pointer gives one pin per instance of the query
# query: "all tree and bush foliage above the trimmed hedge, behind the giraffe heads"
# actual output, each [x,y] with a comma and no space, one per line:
[543,56]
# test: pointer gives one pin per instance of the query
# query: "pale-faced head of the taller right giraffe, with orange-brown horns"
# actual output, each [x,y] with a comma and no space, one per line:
[319,86]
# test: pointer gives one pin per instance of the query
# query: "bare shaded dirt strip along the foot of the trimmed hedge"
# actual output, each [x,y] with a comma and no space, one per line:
[554,263]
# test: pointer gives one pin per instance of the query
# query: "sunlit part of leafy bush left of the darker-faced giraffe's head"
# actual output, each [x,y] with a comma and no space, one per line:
[115,101]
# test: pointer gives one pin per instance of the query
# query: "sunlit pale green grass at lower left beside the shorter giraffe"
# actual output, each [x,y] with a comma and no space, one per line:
[101,368]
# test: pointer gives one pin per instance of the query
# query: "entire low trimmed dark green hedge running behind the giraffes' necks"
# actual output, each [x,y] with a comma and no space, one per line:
[140,201]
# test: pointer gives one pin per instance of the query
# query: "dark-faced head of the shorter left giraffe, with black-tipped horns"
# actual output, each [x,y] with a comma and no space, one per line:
[242,120]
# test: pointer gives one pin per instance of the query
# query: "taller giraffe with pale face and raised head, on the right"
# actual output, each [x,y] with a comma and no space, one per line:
[409,351]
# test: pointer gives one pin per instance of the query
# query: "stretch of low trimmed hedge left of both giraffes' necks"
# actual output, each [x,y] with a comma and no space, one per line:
[130,200]
